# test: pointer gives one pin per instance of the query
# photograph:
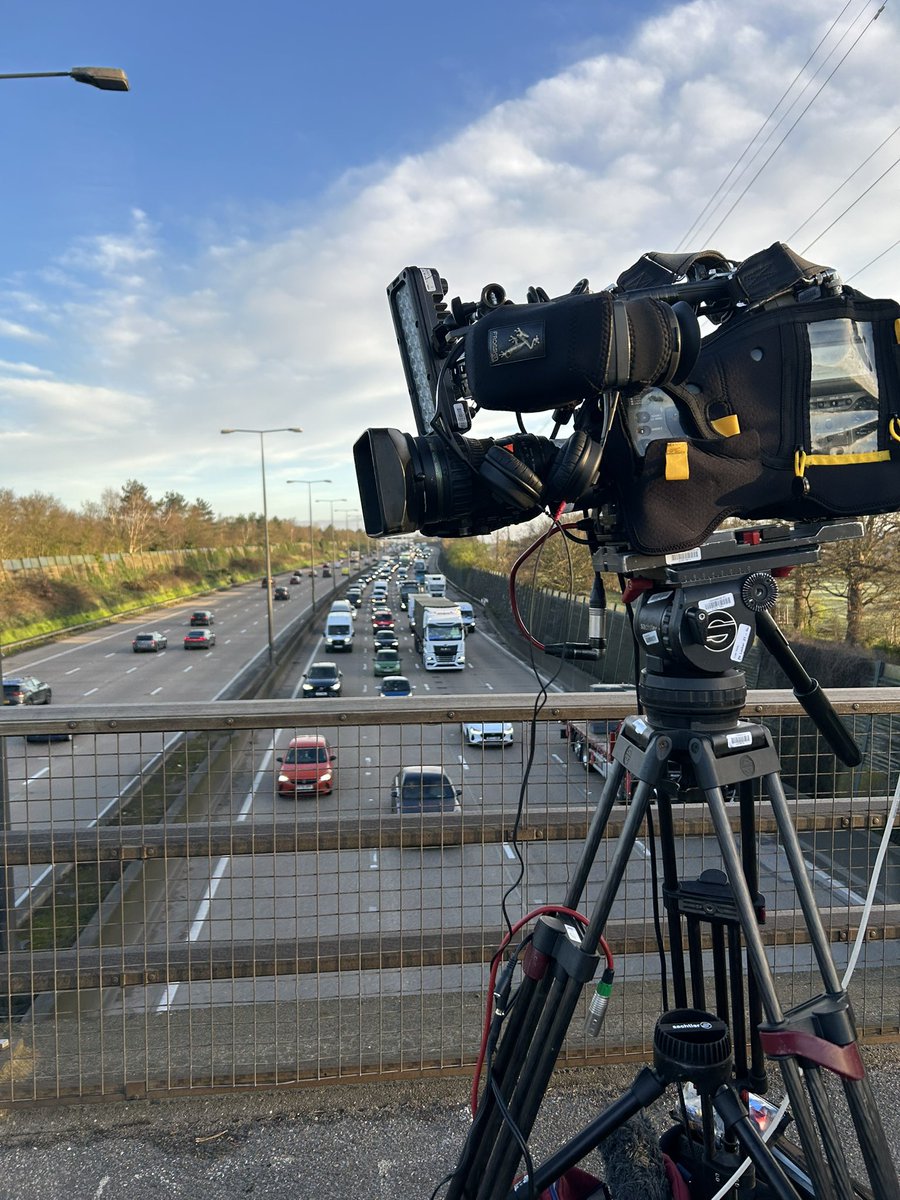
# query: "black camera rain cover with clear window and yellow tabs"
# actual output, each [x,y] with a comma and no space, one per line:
[791,412]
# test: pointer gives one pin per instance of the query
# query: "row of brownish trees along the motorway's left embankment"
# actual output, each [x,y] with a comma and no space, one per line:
[131,521]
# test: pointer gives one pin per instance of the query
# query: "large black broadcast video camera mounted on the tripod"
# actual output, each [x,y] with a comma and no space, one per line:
[673,433]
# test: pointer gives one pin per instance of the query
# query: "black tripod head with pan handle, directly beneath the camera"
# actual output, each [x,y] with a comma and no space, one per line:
[697,615]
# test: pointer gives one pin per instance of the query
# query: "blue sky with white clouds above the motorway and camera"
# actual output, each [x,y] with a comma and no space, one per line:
[212,250]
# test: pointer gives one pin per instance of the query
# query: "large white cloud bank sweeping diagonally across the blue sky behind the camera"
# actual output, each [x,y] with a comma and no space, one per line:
[578,177]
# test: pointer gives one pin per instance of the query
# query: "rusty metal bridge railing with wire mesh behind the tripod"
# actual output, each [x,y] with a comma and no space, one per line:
[181,920]
